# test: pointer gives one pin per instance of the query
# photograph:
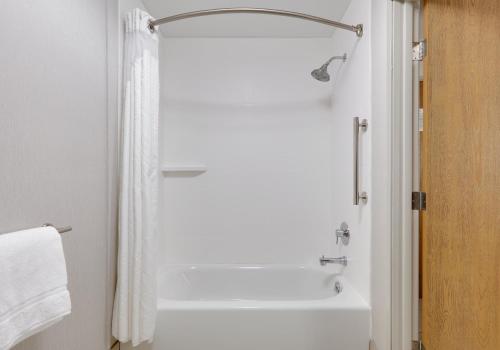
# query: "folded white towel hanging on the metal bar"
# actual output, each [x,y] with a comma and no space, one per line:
[33,284]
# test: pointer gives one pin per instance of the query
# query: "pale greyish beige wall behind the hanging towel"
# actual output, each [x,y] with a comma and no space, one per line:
[54,150]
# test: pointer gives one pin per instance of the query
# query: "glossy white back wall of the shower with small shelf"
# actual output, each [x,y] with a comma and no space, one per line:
[250,111]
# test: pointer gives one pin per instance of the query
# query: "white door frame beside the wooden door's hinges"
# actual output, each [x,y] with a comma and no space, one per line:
[404,221]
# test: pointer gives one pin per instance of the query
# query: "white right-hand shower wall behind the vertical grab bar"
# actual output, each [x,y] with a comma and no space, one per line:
[352,97]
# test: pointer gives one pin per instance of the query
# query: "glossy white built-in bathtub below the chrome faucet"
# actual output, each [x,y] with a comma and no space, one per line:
[225,307]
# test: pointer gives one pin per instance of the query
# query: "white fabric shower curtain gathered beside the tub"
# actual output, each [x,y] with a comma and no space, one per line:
[134,311]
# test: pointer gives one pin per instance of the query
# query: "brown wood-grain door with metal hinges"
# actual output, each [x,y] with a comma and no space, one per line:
[461,175]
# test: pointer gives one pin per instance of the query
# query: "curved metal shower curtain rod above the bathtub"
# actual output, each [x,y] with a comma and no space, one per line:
[358,29]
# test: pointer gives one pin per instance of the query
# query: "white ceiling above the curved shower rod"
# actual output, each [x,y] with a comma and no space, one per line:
[246,25]
